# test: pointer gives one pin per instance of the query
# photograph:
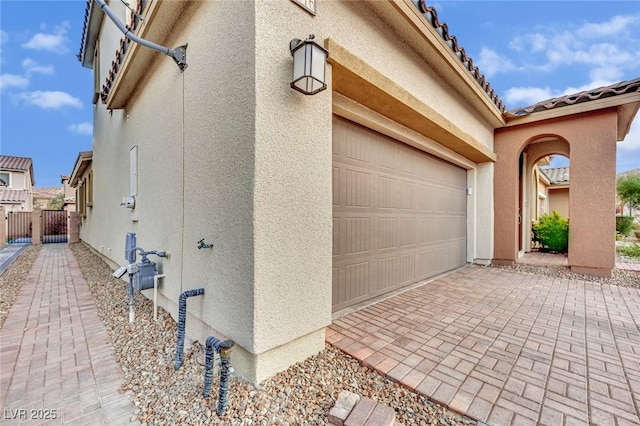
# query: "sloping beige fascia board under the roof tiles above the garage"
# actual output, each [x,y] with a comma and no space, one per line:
[411,13]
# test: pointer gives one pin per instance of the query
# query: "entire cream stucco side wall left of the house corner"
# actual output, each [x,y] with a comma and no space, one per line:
[193,131]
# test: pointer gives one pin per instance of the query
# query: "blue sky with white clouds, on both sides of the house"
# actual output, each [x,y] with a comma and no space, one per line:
[530,51]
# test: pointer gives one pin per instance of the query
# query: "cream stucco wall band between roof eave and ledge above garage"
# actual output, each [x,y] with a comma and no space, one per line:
[394,49]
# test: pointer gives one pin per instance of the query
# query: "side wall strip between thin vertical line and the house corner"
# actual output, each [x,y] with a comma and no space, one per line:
[218,166]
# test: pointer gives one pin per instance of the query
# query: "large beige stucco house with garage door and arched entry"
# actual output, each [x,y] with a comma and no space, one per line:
[408,165]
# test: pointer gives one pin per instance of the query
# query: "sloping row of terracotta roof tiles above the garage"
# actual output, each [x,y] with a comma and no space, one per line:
[430,14]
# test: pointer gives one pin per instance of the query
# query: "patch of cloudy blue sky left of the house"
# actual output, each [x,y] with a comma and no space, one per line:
[46,110]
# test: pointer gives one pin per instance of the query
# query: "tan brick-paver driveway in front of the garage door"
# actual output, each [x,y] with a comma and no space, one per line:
[508,348]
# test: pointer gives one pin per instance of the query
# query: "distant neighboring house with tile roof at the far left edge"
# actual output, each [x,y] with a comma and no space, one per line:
[16,183]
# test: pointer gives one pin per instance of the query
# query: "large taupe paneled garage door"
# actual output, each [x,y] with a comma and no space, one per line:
[399,214]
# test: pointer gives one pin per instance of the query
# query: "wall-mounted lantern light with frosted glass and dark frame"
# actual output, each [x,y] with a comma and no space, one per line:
[309,63]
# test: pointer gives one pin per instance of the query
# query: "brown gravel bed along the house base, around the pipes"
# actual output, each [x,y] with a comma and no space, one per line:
[301,395]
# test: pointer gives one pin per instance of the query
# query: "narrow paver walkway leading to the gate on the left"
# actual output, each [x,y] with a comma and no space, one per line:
[56,361]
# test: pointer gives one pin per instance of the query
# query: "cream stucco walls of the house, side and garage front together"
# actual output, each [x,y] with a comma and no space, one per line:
[228,153]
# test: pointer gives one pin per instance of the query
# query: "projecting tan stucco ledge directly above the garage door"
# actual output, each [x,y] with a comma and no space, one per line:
[357,80]
